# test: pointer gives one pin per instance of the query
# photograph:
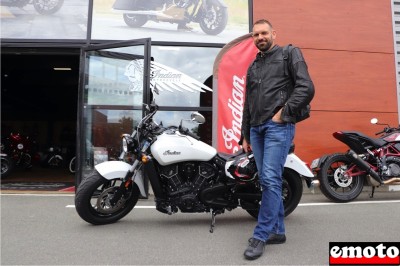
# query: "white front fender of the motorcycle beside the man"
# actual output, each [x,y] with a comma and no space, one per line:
[118,169]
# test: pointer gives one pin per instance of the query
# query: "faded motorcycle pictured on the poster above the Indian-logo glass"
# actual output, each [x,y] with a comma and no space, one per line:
[211,15]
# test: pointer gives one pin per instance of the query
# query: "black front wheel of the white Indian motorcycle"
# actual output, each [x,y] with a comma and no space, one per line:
[93,195]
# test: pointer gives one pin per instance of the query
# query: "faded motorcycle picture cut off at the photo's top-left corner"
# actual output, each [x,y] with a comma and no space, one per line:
[43,7]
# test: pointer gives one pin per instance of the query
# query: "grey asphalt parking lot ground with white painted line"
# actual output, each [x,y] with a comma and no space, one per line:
[44,229]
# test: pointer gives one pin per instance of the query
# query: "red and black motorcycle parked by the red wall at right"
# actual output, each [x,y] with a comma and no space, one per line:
[369,161]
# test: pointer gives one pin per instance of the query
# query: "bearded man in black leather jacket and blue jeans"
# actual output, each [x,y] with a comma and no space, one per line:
[277,89]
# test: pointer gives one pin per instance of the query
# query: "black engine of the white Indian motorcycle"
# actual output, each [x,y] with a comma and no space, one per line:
[183,181]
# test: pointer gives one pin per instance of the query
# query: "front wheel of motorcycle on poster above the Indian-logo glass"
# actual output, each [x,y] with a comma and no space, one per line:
[214,20]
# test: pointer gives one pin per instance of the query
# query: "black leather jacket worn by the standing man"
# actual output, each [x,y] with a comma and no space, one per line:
[269,87]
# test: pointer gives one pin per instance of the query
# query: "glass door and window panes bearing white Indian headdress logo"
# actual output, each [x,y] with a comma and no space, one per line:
[115,88]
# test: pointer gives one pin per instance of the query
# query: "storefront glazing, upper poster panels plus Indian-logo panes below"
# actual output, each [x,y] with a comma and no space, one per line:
[116,80]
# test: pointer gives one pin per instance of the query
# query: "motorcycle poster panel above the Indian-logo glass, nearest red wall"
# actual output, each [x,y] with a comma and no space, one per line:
[199,21]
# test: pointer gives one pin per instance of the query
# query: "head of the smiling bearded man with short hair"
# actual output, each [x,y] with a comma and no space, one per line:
[263,35]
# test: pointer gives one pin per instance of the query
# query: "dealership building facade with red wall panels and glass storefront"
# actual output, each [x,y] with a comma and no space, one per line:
[350,48]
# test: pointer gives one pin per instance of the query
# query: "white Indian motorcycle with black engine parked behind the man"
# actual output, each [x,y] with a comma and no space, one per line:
[185,174]
